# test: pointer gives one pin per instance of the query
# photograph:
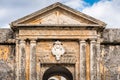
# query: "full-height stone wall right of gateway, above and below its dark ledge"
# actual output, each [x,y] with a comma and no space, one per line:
[110,54]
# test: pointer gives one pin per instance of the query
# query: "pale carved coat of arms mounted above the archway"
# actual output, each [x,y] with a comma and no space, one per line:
[58,50]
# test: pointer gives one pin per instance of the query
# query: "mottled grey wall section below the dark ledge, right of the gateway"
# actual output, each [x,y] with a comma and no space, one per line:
[110,62]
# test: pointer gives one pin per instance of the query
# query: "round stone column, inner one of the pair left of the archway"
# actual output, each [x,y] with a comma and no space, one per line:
[33,75]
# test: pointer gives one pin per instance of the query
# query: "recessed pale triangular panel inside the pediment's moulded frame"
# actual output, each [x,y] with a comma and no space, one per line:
[57,17]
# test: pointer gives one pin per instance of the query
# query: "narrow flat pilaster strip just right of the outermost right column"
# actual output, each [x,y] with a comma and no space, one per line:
[98,60]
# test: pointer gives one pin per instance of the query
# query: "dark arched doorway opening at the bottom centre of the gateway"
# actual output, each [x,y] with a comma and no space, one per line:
[57,71]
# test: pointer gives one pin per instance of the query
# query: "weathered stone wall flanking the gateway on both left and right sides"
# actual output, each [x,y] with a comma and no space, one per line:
[109,62]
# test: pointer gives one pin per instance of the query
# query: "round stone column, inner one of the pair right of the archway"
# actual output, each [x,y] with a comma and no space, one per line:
[82,60]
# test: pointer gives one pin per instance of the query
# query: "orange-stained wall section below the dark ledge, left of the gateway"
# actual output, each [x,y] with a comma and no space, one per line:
[7,62]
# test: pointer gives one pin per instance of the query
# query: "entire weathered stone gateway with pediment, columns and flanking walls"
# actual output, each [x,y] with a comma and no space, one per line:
[59,43]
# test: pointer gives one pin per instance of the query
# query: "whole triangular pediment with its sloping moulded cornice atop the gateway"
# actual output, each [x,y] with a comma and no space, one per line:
[57,14]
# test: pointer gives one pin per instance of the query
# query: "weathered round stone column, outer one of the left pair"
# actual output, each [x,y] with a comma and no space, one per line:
[22,59]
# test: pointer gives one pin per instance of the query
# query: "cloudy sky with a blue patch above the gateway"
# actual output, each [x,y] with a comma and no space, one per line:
[105,10]
